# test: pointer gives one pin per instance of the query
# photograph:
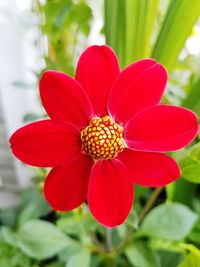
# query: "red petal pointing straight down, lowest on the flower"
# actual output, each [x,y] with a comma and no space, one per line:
[110,193]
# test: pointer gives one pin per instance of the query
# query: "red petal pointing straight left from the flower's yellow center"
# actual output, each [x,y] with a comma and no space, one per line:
[46,143]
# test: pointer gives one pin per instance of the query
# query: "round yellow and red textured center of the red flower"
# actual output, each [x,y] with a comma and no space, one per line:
[102,138]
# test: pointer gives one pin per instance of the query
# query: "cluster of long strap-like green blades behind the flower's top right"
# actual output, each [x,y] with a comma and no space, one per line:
[131,28]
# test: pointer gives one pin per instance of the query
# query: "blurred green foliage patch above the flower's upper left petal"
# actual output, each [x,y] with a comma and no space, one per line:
[66,24]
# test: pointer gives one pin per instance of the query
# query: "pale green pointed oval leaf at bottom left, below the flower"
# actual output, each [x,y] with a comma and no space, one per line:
[41,240]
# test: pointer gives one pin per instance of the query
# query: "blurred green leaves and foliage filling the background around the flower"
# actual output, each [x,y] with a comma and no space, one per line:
[163,229]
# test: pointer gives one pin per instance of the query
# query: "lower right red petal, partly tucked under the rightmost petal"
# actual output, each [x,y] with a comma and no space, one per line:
[150,169]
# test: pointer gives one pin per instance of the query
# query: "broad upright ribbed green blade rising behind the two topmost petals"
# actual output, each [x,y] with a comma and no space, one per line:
[128,27]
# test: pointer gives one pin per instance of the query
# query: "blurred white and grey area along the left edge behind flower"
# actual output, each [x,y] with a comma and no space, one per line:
[19,58]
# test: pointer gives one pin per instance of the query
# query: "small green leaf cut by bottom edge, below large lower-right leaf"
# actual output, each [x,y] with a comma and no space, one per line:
[140,255]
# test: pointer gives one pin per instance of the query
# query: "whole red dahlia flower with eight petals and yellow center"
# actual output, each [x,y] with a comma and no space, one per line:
[107,132]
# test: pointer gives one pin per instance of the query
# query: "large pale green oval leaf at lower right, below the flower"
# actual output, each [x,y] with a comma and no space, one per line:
[172,221]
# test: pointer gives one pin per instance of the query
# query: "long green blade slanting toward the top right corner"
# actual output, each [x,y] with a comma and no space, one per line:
[178,23]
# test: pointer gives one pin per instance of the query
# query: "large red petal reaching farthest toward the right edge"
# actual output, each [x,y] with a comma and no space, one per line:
[161,128]
